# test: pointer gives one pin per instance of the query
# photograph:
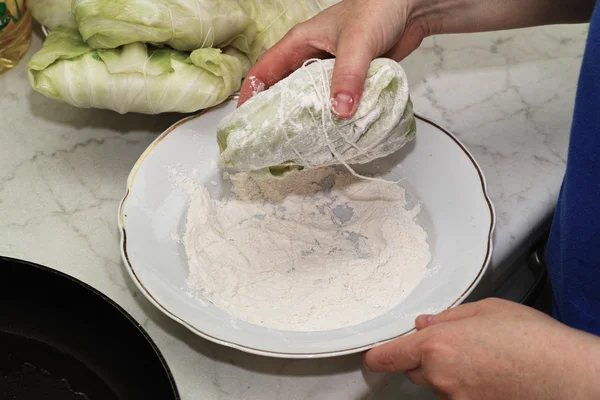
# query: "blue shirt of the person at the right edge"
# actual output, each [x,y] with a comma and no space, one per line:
[573,253]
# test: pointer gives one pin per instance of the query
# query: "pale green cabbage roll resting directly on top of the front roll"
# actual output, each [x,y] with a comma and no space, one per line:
[182,24]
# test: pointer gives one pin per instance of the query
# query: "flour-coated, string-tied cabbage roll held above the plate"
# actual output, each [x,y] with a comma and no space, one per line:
[291,124]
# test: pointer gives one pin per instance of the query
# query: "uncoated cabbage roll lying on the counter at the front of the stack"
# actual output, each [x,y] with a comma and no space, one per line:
[132,78]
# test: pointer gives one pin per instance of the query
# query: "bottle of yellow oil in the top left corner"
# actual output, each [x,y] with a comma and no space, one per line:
[15,32]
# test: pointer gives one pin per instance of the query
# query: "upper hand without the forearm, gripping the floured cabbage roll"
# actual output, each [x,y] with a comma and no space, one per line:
[355,32]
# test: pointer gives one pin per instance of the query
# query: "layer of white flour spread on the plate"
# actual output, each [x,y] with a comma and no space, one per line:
[315,250]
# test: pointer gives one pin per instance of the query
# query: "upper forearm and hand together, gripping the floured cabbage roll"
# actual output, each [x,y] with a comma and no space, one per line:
[357,31]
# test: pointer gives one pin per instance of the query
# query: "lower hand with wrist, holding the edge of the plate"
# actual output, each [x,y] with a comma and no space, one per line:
[494,349]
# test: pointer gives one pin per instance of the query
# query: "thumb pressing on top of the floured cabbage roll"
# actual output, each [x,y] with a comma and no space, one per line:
[354,54]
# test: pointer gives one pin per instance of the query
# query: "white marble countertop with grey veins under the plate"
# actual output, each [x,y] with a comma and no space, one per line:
[508,96]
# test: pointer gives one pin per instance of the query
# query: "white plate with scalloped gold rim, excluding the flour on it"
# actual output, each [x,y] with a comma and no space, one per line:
[456,213]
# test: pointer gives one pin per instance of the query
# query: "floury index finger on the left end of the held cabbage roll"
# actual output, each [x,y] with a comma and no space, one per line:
[281,60]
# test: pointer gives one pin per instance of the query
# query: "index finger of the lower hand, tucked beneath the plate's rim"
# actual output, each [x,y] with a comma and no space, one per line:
[401,354]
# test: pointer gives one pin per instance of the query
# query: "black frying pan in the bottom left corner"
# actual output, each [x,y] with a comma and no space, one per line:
[61,339]
